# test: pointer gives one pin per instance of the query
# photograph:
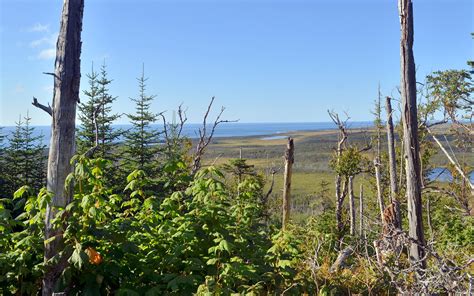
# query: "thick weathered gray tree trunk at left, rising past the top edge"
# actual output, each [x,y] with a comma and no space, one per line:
[62,147]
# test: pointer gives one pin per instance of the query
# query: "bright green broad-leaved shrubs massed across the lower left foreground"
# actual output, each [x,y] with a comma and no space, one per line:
[204,239]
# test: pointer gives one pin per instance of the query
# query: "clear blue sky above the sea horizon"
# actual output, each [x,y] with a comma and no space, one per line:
[265,61]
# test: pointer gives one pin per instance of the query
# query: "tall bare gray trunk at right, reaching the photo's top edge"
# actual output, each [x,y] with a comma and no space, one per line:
[410,133]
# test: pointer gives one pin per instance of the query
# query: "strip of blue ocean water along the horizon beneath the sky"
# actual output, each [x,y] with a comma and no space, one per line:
[234,129]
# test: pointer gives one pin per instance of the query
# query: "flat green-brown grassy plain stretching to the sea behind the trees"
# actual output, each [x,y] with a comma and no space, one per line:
[313,151]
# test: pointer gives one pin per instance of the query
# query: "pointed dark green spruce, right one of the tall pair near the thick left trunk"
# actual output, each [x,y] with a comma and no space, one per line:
[141,140]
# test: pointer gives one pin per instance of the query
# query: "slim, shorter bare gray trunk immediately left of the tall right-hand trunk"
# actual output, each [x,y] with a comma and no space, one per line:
[392,164]
